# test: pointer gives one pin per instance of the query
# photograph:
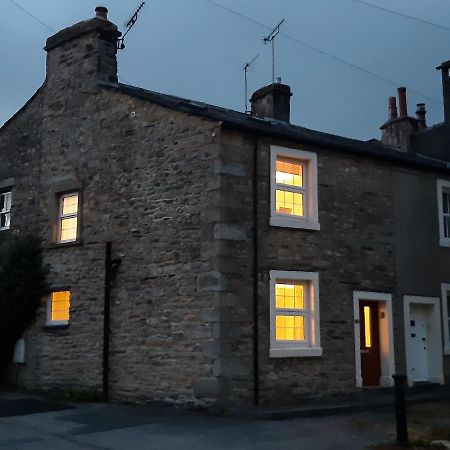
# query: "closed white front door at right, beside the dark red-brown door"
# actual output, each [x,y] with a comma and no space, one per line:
[419,320]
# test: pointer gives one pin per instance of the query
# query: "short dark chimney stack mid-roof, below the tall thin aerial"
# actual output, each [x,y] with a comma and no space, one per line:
[272,101]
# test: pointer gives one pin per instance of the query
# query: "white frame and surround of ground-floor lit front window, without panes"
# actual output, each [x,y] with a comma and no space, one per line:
[311,345]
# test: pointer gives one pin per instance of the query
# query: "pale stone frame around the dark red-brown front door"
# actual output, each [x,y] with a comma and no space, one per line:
[386,335]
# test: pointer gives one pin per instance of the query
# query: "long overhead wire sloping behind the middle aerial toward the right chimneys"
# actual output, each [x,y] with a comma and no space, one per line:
[323,52]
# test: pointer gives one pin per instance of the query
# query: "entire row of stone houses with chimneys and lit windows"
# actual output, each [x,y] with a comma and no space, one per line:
[247,259]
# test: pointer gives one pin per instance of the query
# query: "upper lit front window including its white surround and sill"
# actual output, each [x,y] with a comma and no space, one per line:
[294,188]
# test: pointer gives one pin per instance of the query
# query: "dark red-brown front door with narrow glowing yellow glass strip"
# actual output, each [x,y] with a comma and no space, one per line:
[370,343]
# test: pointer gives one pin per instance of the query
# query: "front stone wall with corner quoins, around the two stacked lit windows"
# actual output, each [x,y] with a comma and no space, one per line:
[352,251]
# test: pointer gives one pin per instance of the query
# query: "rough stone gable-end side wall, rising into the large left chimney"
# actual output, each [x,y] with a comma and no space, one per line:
[146,181]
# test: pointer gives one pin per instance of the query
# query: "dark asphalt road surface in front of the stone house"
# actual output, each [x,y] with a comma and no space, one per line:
[34,422]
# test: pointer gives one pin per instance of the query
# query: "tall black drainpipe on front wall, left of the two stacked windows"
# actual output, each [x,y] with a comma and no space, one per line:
[255,275]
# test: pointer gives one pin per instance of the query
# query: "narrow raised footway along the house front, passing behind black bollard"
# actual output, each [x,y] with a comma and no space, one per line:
[365,400]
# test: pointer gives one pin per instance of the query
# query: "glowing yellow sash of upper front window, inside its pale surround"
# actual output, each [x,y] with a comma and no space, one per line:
[290,187]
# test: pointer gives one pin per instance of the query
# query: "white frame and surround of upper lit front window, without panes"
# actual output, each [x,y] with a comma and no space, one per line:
[308,160]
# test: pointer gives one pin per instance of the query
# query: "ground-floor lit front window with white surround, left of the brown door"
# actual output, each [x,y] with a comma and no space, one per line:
[294,314]
